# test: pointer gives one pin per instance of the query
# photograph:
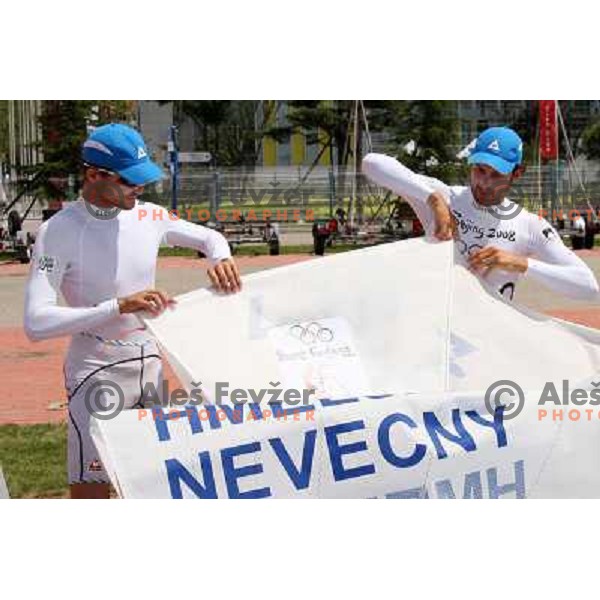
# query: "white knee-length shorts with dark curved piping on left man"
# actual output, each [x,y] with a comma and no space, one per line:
[103,375]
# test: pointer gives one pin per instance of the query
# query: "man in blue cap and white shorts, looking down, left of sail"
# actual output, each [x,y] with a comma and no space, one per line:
[100,252]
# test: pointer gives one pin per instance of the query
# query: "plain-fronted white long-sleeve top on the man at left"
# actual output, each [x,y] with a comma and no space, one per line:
[93,262]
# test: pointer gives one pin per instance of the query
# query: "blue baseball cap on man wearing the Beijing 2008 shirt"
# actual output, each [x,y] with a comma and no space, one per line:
[498,147]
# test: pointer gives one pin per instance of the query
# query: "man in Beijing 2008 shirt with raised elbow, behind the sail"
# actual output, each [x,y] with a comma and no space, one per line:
[498,238]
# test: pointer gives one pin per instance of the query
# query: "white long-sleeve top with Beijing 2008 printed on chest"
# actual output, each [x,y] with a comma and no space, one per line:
[526,234]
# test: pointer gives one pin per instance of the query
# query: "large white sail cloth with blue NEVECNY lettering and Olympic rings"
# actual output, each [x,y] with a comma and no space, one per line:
[397,345]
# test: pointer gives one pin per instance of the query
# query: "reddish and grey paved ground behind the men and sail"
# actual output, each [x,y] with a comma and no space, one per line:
[32,373]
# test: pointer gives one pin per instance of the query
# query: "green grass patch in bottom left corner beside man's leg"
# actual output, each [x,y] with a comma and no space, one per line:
[34,460]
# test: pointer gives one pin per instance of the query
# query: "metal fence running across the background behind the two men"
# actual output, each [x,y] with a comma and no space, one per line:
[323,189]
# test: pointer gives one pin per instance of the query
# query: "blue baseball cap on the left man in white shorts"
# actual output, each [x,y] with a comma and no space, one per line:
[121,149]
